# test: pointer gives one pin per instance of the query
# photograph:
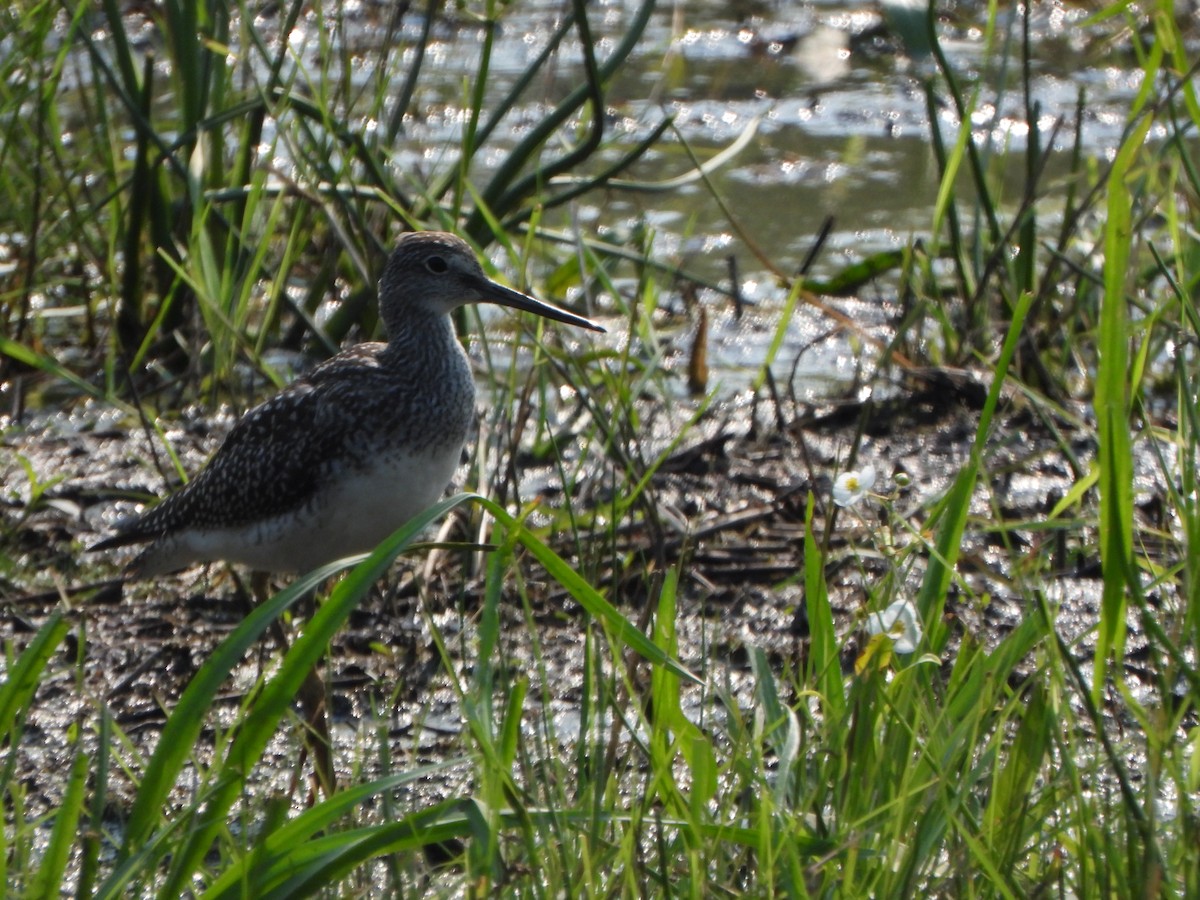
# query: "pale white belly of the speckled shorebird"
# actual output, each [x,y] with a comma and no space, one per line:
[352,515]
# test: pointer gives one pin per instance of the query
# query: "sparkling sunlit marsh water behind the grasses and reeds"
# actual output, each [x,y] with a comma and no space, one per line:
[806,112]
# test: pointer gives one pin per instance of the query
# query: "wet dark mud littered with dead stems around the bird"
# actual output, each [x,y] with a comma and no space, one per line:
[730,506]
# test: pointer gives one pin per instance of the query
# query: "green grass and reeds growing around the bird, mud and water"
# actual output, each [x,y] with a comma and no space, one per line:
[183,199]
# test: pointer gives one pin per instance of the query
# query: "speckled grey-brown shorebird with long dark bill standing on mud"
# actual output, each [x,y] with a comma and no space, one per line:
[352,451]
